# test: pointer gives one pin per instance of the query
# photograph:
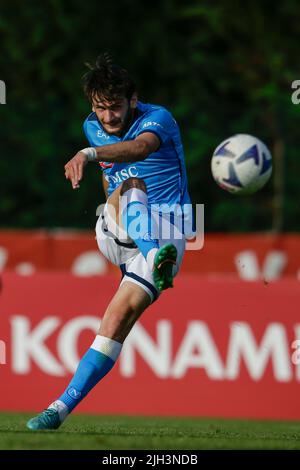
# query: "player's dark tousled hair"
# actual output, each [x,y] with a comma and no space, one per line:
[107,80]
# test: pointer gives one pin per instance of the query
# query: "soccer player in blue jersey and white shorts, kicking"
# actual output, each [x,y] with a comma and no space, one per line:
[139,149]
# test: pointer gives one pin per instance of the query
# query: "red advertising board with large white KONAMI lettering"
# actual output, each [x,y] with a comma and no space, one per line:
[205,348]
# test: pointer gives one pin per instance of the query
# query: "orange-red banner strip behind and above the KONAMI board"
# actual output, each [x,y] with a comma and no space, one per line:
[247,257]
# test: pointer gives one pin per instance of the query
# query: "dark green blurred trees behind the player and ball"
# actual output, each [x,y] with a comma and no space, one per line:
[221,67]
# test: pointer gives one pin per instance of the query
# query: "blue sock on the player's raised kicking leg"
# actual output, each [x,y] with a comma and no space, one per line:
[136,219]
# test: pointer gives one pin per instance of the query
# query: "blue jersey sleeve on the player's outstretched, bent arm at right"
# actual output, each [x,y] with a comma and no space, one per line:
[159,122]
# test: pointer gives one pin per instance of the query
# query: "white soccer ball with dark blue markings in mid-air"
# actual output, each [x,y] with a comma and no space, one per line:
[241,164]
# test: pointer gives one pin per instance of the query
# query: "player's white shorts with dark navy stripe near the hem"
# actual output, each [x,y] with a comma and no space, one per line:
[126,254]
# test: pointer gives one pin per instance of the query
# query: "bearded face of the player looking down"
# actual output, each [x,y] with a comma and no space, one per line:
[114,115]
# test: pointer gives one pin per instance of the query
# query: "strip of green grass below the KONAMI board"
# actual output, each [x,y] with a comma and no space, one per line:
[111,432]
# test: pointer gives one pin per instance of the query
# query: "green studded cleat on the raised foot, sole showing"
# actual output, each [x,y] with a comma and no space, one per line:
[164,261]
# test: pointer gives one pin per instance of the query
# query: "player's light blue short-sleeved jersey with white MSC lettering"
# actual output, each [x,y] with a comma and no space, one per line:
[163,171]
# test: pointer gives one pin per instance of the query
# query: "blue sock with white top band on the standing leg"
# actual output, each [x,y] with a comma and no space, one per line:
[92,368]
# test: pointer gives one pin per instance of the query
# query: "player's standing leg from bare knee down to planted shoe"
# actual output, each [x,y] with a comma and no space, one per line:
[123,311]
